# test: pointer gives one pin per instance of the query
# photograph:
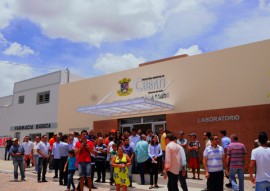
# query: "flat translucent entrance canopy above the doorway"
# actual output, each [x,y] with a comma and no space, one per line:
[126,107]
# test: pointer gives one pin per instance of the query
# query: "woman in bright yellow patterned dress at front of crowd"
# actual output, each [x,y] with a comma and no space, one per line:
[120,162]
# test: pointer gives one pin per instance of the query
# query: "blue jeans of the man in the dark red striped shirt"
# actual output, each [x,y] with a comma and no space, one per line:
[240,173]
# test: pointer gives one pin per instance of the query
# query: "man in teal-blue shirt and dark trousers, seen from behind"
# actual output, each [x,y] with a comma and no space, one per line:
[141,153]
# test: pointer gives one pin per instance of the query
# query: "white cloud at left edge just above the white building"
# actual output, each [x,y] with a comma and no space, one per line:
[11,73]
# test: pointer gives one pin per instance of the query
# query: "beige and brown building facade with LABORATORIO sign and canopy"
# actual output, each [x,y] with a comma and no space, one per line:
[222,90]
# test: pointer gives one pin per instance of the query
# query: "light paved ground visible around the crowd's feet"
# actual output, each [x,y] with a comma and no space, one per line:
[7,183]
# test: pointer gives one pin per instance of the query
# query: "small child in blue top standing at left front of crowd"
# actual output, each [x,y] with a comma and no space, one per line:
[71,169]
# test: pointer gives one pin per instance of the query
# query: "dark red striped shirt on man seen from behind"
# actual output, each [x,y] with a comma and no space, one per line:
[237,152]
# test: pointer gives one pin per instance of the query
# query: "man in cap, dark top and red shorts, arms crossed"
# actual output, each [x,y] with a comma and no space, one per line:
[193,150]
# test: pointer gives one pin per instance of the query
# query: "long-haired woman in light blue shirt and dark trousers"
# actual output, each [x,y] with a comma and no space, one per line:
[154,152]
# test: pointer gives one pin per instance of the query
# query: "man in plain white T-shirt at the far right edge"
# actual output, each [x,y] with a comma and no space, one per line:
[260,157]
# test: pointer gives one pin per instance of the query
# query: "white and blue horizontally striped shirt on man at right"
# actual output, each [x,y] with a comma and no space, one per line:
[214,158]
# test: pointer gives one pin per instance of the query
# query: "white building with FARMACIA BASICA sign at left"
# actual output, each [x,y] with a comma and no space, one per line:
[32,109]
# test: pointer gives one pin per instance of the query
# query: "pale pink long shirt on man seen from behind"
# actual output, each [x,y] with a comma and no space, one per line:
[173,157]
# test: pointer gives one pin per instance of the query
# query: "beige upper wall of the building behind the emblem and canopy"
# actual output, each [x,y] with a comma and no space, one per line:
[233,77]
